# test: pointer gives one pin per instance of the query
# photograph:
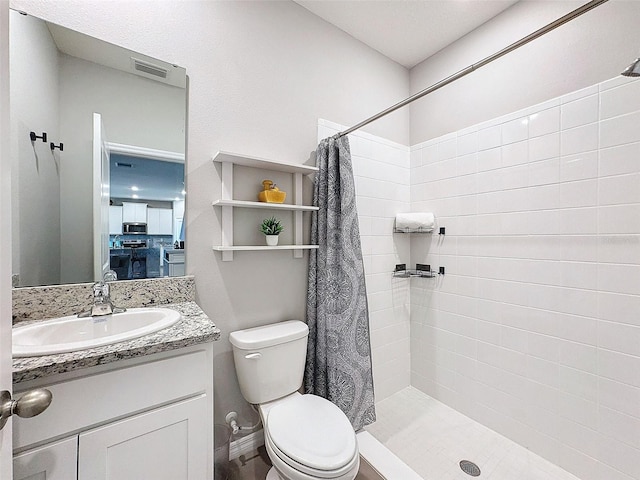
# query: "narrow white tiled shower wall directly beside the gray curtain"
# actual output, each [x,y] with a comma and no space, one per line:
[381,171]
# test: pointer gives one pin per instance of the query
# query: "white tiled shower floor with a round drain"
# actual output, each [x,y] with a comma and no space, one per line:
[432,438]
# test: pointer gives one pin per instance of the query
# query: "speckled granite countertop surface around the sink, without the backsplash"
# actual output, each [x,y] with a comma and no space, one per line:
[194,328]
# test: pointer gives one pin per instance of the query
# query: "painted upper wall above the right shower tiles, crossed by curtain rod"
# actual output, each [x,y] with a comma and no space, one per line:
[588,50]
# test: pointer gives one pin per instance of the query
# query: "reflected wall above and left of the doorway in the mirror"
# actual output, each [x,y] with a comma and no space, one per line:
[135,111]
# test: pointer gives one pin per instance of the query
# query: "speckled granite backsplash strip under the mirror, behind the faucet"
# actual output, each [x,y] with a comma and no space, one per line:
[40,303]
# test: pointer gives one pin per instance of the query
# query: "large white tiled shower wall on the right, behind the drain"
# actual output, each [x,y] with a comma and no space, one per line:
[535,328]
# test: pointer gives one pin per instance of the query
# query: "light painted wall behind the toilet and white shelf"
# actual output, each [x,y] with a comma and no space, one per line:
[261,74]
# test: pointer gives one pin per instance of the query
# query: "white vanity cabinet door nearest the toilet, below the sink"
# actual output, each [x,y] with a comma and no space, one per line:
[168,443]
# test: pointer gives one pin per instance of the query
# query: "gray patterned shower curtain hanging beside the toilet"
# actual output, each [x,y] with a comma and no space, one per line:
[339,350]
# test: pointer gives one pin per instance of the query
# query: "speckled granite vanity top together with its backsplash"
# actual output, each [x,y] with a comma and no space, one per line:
[33,304]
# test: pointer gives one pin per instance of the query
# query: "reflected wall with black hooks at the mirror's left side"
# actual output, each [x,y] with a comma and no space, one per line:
[36,170]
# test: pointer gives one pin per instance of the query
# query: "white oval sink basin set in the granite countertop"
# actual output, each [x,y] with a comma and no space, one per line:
[68,334]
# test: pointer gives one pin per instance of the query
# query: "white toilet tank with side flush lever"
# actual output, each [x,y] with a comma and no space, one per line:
[270,359]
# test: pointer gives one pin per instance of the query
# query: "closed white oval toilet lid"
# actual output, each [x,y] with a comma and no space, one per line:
[313,432]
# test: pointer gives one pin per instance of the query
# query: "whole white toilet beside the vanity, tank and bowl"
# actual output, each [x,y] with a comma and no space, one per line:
[306,436]
